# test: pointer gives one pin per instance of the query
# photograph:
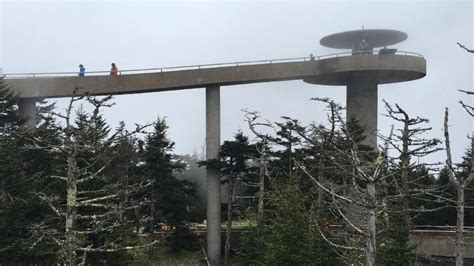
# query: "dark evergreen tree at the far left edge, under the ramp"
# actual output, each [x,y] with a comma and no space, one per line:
[19,168]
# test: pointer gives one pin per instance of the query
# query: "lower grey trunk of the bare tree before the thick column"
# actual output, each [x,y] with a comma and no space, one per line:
[370,248]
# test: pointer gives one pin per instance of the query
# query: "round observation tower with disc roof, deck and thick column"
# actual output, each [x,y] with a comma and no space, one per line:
[361,70]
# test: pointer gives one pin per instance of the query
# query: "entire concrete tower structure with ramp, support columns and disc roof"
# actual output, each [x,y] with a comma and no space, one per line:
[360,72]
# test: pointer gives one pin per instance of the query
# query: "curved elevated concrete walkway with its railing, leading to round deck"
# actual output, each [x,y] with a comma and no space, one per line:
[63,84]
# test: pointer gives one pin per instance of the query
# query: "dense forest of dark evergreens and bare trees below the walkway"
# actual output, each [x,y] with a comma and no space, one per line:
[76,191]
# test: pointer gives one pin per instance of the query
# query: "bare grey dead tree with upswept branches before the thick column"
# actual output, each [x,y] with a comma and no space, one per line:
[366,173]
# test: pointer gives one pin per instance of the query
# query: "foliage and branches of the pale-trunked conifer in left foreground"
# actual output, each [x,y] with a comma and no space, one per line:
[87,199]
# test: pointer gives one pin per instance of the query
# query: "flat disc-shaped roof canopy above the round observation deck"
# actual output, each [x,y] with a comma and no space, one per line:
[374,37]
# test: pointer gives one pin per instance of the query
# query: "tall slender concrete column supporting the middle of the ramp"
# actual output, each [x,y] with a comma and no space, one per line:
[213,140]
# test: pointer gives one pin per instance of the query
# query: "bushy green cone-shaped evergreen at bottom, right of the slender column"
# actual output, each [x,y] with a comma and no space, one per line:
[289,235]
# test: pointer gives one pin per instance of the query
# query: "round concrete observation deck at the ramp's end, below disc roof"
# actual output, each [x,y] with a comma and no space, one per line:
[381,68]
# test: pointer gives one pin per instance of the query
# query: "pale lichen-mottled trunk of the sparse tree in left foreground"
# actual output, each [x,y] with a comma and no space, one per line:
[70,236]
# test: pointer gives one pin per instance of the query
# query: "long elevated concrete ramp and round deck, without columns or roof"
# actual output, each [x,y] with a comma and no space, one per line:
[331,71]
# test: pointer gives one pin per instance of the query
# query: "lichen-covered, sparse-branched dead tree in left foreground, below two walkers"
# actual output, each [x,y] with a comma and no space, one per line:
[87,210]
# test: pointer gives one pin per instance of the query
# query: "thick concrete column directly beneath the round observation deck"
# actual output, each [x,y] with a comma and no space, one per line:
[362,104]
